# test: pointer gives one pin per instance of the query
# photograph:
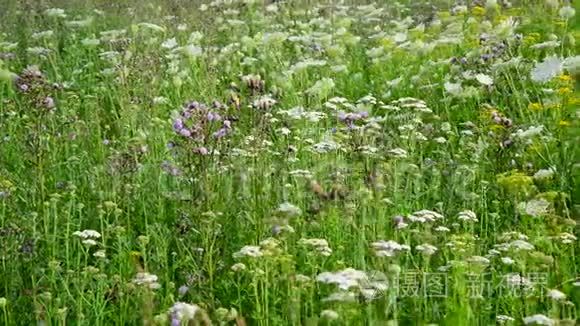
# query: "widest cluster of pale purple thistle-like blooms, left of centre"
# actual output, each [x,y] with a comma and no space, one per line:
[197,123]
